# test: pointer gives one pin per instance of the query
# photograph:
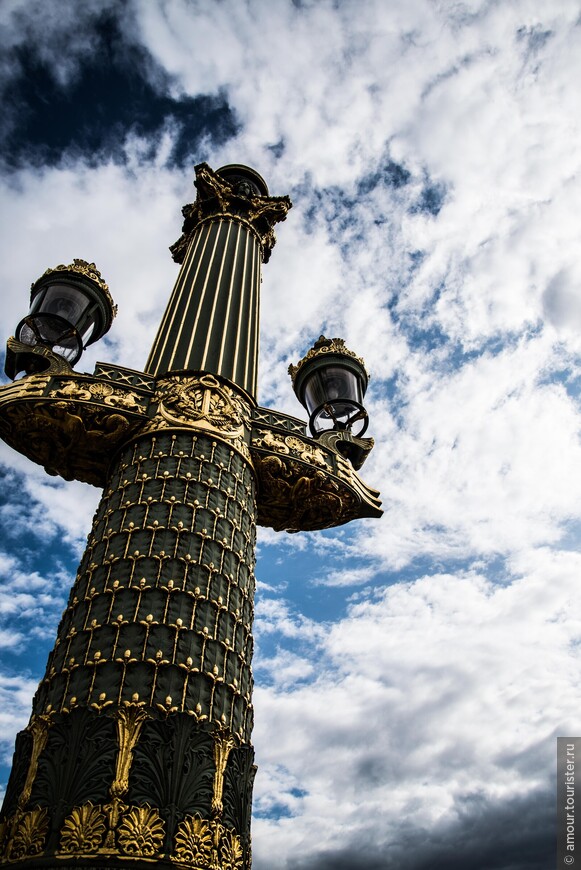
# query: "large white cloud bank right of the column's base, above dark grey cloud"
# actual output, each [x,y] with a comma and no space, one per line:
[429,692]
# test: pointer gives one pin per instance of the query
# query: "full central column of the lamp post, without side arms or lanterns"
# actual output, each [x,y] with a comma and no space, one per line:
[139,741]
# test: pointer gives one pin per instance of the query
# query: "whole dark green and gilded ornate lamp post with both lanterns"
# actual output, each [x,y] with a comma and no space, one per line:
[138,749]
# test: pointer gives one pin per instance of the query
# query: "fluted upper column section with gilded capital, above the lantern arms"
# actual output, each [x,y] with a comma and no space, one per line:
[212,320]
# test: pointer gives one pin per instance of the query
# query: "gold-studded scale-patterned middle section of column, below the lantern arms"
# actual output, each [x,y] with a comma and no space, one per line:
[162,608]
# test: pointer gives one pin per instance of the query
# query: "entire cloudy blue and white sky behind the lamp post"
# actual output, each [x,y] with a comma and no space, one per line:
[412,673]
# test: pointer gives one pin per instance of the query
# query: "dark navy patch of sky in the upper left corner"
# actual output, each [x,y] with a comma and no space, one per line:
[115,89]
